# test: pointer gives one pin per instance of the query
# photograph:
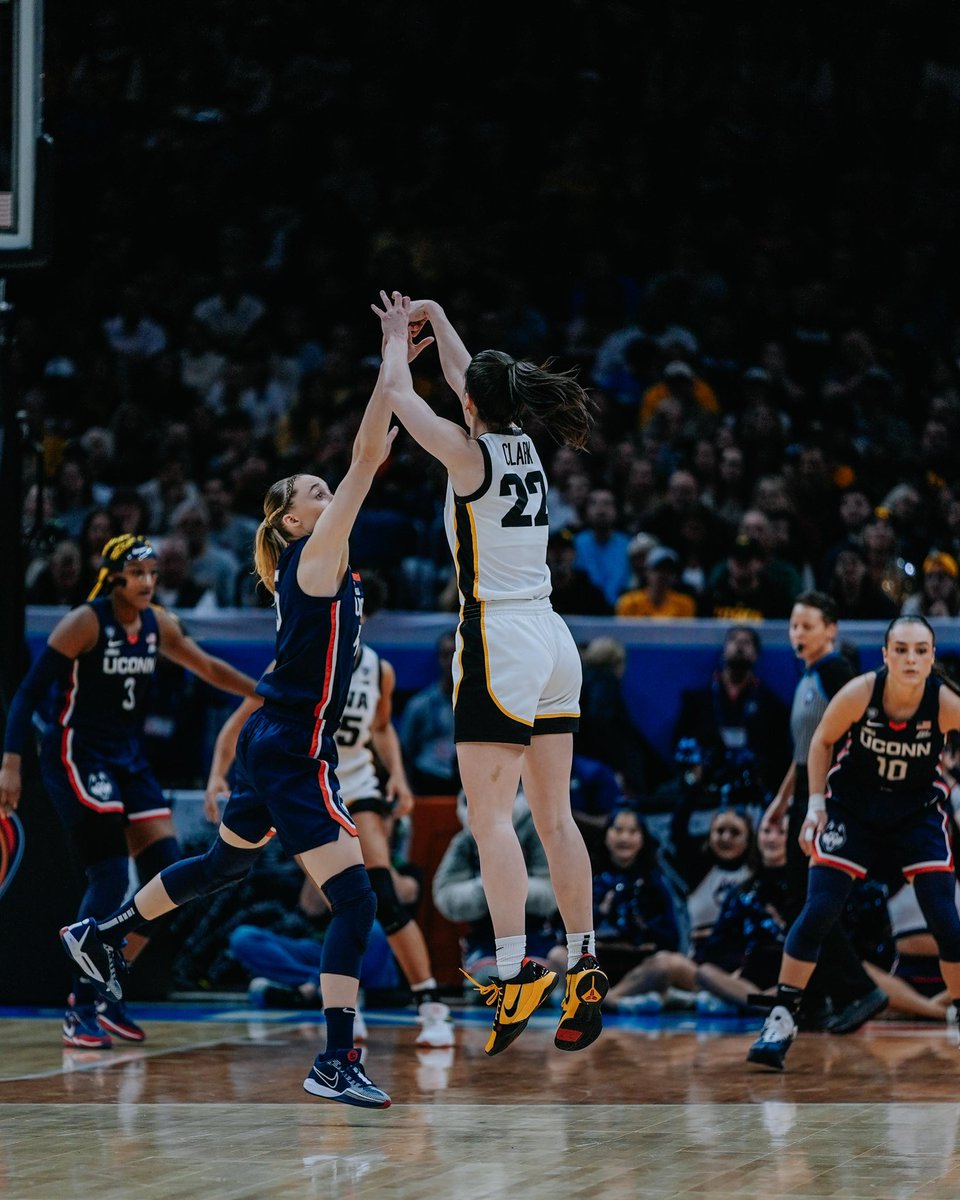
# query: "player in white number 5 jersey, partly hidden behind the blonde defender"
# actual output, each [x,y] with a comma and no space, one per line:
[367,728]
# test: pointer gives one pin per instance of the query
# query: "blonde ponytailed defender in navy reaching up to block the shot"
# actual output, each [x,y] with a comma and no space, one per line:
[286,758]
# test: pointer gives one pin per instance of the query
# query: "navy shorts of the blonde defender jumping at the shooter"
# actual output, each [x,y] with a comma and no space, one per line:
[280,784]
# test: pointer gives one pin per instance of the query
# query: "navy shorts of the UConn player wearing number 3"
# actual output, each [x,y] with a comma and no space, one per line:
[87,778]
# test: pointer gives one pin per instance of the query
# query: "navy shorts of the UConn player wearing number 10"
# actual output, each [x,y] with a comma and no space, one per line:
[916,843]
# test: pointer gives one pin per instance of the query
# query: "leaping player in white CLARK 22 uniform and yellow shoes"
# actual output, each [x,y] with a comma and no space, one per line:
[517,673]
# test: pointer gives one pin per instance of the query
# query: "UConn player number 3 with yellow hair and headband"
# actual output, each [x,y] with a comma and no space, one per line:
[101,661]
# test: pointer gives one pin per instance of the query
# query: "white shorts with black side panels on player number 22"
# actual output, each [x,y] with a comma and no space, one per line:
[517,674]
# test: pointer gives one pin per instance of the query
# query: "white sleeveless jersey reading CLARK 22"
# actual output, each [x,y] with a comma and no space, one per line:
[499,535]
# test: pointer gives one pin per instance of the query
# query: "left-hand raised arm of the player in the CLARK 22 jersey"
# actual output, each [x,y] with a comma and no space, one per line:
[447,442]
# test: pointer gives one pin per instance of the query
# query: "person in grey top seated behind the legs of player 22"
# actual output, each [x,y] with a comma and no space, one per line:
[459,896]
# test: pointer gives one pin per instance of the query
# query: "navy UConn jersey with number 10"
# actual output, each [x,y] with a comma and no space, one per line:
[898,761]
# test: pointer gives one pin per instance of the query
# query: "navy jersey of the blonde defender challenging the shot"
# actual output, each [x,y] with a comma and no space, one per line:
[319,639]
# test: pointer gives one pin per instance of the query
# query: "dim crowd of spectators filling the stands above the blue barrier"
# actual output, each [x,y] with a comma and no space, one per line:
[739,226]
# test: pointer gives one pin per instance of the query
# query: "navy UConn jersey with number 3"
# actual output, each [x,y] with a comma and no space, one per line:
[107,689]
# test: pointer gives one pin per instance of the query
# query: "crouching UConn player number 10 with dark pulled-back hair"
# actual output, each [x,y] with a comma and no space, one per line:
[880,799]
